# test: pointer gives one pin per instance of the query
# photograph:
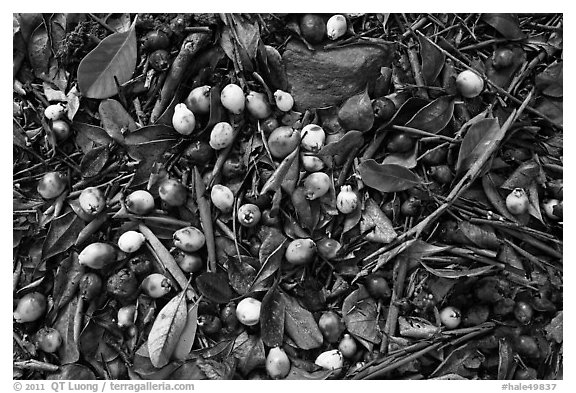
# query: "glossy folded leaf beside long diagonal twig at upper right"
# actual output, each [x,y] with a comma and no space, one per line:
[479,136]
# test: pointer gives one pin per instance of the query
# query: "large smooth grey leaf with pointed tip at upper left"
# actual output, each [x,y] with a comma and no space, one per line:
[114,59]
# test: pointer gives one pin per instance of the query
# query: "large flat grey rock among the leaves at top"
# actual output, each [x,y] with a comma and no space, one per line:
[329,76]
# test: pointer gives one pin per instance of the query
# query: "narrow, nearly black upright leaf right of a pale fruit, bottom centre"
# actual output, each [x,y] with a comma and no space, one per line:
[272,316]
